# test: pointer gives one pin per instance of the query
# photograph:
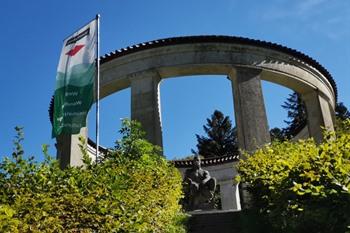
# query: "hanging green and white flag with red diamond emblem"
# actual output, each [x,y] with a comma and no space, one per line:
[76,72]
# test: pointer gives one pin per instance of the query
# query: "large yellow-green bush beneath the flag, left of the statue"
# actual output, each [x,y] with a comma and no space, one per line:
[132,189]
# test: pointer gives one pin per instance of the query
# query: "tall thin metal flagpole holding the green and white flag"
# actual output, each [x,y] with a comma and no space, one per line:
[97,85]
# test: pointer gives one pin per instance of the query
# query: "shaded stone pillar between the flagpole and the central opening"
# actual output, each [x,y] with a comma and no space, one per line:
[145,105]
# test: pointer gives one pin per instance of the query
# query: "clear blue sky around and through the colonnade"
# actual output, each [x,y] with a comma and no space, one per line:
[31,39]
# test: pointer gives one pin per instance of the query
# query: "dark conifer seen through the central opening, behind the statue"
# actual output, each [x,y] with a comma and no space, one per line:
[221,139]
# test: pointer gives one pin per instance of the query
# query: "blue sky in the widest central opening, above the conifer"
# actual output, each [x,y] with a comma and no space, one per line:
[186,103]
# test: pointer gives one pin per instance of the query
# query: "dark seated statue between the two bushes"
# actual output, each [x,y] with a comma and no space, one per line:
[199,187]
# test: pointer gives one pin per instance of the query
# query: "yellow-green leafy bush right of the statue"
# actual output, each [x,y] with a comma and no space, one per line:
[302,186]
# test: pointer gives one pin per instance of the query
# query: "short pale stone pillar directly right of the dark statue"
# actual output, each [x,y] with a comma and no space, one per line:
[229,196]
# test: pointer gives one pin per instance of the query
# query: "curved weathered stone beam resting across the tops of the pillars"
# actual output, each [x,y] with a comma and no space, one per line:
[214,58]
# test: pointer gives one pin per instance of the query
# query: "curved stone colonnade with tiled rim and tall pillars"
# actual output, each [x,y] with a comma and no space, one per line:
[245,61]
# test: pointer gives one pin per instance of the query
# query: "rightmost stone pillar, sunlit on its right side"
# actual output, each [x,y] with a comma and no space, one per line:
[319,114]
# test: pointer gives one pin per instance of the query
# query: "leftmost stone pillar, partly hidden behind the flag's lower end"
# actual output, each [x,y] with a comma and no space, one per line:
[68,150]
